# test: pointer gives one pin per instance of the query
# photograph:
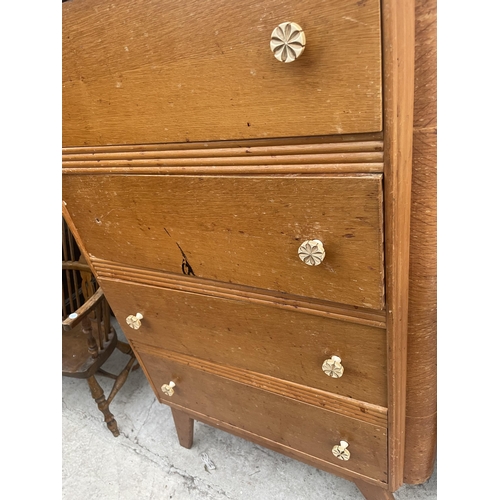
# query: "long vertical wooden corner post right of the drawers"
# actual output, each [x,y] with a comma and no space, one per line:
[398,46]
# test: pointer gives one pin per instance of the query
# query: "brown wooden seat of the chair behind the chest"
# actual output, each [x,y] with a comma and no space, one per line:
[76,360]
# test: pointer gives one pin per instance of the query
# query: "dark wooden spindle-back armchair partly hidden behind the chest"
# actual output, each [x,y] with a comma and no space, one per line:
[88,339]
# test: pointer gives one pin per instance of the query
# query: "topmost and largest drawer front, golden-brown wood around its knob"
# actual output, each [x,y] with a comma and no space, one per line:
[165,71]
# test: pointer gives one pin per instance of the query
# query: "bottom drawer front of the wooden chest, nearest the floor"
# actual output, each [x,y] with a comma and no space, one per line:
[283,420]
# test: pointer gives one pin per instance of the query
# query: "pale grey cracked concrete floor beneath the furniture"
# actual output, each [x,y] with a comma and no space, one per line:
[146,461]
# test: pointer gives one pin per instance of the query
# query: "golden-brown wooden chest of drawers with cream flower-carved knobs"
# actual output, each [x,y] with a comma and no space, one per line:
[239,177]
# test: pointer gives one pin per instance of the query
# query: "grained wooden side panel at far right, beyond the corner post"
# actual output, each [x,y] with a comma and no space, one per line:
[421,404]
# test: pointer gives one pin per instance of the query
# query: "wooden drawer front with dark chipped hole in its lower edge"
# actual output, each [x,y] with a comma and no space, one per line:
[243,230]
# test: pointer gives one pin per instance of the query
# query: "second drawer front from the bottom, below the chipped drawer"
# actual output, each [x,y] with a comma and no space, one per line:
[284,344]
